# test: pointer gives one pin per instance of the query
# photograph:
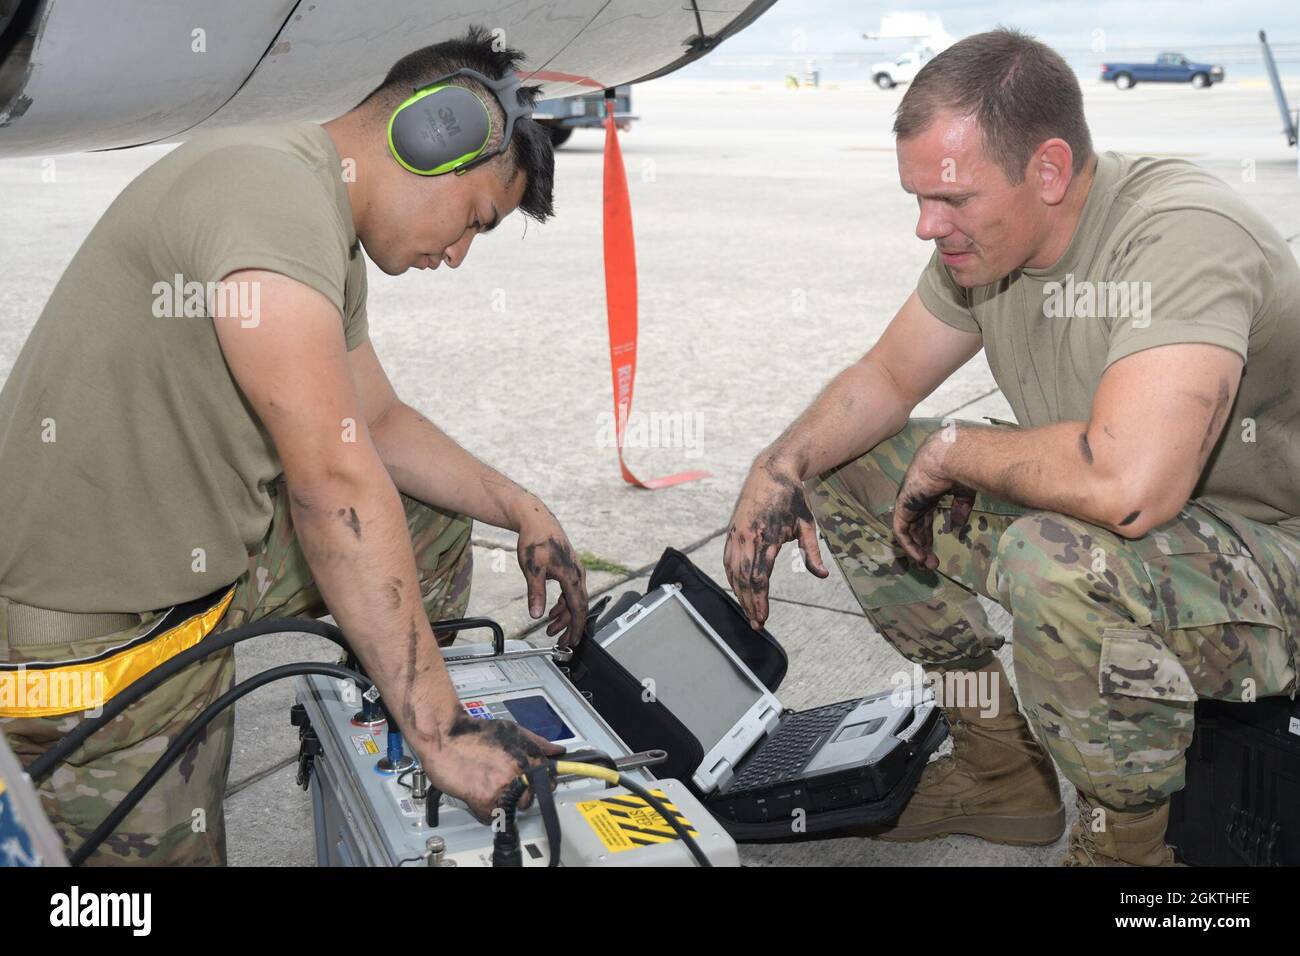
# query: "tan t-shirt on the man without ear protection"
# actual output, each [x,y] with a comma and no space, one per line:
[1165,253]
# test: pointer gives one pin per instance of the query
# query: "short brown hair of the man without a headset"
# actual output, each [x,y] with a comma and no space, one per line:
[1020,92]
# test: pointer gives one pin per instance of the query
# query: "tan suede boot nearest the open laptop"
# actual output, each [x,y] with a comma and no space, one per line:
[998,784]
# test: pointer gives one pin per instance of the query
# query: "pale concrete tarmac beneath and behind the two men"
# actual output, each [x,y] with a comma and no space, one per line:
[774,245]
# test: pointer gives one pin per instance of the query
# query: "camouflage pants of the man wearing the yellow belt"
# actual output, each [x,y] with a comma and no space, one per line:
[183,821]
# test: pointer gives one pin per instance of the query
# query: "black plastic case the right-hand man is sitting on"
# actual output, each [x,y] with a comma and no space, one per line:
[1242,801]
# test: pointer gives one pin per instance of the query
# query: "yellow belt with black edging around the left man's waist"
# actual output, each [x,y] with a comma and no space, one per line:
[42,689]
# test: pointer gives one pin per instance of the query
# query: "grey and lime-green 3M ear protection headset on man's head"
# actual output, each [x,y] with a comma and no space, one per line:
[445,129]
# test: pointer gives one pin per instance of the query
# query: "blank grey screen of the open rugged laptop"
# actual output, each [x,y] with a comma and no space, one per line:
[692,676]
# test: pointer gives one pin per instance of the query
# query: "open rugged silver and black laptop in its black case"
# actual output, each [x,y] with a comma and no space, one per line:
[762,763]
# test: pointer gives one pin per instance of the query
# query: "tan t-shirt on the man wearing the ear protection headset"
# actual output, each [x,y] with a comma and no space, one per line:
[133,473]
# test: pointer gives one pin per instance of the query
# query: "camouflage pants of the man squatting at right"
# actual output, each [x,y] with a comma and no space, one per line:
[1113,639]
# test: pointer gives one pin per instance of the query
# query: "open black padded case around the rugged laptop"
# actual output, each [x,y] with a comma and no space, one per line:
[648,725]
